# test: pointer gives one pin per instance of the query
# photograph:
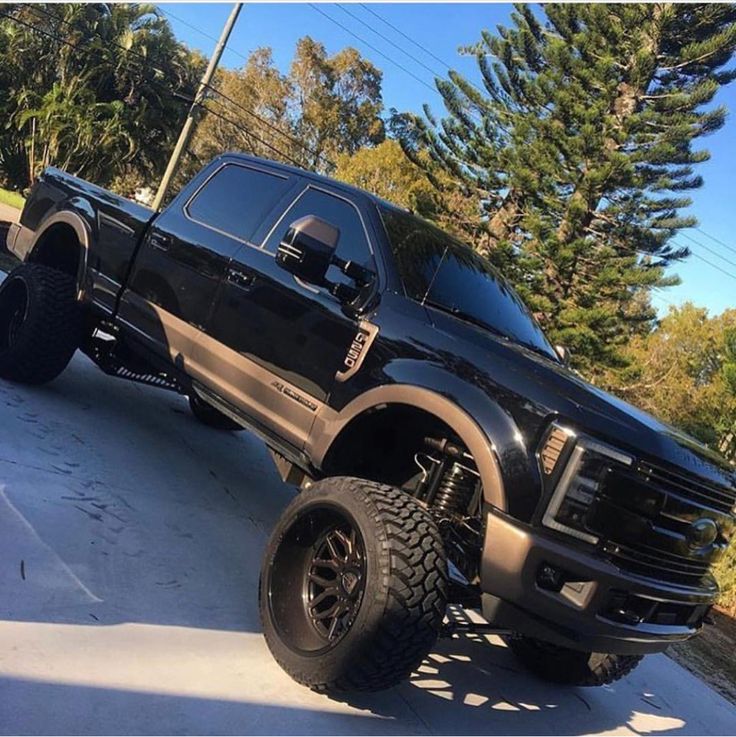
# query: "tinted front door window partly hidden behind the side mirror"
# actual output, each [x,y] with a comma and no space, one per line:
[352,245]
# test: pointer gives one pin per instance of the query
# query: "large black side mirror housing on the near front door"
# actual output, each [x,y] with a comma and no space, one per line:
[308,248]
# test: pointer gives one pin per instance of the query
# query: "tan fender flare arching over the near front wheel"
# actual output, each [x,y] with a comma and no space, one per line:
[329,424]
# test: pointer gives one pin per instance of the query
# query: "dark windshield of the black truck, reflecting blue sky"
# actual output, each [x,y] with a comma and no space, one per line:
[439,271]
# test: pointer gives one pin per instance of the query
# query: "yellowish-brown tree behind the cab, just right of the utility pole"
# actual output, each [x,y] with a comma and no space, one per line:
[324,106]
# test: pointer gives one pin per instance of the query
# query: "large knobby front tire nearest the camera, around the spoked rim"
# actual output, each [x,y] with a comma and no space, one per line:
[404,595]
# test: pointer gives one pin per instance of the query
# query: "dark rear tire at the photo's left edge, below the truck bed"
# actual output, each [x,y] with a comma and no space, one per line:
[40,323]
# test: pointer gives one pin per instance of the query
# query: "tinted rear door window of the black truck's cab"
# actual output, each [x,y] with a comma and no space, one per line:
[236,199]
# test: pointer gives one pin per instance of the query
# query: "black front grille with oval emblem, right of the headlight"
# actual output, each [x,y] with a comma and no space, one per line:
[645,518]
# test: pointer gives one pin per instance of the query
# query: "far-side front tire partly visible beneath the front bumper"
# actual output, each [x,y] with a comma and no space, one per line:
[571,667]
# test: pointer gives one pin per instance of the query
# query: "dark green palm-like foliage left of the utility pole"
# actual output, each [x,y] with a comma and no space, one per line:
[90,88]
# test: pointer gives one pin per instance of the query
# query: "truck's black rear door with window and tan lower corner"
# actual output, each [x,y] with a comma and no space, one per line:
[184,256]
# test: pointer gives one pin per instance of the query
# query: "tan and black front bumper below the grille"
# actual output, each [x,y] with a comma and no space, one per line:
[597,605]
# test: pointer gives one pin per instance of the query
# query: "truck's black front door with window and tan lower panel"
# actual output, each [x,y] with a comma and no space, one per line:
[277,343]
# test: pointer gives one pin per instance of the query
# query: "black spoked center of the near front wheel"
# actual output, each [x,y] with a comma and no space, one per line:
[335,582]
